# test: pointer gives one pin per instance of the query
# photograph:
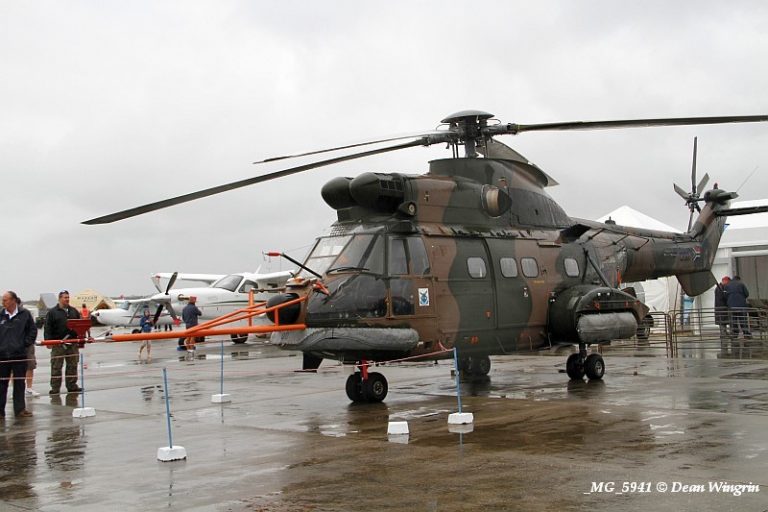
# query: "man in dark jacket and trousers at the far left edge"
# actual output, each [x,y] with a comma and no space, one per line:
[17,332]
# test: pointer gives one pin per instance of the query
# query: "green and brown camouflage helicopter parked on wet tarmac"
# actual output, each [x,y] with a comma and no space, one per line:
[475,255]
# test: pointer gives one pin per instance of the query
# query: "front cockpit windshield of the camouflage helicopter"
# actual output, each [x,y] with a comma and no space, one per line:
[344,253]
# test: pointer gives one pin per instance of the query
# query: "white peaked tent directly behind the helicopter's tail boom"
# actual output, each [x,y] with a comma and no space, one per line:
[661,294]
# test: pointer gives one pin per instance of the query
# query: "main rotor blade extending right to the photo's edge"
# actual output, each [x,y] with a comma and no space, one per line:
[634,123]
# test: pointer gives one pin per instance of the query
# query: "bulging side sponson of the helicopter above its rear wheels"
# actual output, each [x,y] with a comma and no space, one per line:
[594,314]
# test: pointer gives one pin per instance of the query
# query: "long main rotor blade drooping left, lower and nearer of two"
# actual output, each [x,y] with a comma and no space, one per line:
[159,205]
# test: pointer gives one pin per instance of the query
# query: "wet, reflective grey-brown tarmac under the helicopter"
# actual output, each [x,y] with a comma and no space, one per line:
[291,441]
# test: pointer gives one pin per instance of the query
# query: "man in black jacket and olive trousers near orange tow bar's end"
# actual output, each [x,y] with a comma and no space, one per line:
[56,329]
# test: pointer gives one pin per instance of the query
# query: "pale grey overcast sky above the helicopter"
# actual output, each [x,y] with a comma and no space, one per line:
[106,105]
